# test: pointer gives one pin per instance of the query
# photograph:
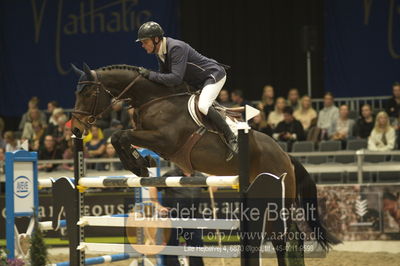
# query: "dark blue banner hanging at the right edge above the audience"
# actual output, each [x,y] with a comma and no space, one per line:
[362,47]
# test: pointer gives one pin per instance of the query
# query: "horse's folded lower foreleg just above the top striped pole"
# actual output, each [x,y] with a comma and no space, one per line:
[127,156]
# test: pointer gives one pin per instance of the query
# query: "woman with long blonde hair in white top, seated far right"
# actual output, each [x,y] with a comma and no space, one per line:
[382,137]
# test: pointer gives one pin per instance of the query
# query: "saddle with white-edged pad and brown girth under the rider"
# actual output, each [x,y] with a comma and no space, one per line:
[182,156]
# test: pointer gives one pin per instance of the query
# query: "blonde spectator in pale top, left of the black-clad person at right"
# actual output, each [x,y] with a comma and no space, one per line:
[342,127]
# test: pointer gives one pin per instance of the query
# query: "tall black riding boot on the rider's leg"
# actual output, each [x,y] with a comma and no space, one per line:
[223,127]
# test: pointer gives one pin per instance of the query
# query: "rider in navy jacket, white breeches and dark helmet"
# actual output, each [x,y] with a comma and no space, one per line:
[179,62]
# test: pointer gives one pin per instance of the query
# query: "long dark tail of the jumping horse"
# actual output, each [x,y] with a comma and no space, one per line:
[307,198]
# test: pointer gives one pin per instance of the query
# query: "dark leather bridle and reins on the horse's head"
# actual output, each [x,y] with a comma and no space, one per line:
[92,116]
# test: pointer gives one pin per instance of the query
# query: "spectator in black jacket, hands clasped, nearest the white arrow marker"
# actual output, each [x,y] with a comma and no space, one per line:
[290,129]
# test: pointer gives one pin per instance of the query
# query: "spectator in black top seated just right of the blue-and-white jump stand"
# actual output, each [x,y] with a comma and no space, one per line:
[49,151]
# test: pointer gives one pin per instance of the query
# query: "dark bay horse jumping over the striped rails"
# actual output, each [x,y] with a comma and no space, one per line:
[163,125]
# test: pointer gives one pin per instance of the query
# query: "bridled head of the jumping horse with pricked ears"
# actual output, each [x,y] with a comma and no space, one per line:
[92,99]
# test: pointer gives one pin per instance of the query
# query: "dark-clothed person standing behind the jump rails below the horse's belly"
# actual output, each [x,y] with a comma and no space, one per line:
[178,199]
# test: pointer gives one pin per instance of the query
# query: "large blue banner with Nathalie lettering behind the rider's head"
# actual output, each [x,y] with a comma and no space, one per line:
[40,38]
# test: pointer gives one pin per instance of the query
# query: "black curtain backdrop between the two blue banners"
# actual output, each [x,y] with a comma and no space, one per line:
[260,40]
